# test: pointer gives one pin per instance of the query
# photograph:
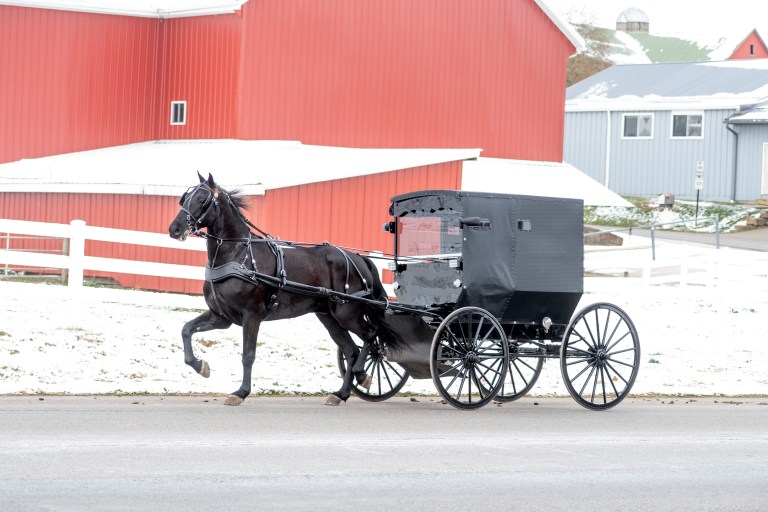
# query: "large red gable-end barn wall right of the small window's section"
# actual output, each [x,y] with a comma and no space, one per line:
[405,73]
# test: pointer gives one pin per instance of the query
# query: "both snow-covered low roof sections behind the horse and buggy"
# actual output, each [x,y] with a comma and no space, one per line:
[169,167]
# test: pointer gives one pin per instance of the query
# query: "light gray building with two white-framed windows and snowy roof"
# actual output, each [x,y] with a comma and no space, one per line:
[647,129]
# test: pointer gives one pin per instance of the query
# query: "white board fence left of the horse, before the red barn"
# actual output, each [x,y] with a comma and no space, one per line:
[76,262]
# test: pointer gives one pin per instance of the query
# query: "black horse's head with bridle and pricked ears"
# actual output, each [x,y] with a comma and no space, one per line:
[199,208]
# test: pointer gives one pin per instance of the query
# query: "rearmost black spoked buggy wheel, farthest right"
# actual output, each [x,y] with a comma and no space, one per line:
[600,356]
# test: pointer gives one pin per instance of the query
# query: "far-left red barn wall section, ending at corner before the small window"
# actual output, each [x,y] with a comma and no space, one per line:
[73,81]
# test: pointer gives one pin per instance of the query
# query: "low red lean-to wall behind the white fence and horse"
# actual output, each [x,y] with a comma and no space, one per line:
[346,212]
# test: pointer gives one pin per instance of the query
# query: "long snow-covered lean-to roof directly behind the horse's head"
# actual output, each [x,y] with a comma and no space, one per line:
[168,167]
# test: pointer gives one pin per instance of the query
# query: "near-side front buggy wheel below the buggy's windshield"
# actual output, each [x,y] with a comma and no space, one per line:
[469,357]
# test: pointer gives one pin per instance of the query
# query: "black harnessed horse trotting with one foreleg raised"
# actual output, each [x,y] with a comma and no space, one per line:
[247,283]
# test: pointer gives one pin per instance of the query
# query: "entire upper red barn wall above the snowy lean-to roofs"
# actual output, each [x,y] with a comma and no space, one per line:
[391,73]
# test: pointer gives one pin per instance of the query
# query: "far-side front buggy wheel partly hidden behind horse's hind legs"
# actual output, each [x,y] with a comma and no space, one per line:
[387,378]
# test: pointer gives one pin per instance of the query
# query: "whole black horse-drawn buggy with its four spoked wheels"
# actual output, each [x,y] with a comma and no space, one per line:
[486,287]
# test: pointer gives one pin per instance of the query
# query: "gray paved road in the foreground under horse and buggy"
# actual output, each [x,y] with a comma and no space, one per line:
[192,453]
